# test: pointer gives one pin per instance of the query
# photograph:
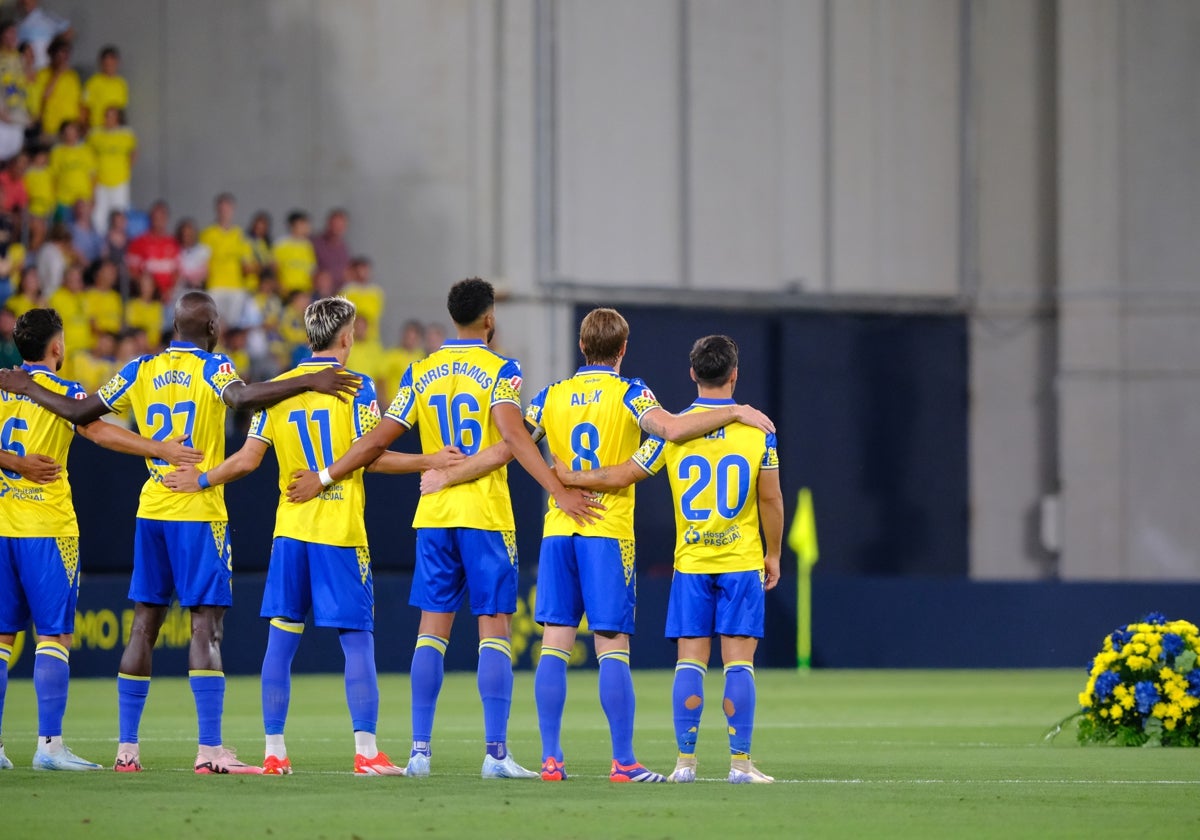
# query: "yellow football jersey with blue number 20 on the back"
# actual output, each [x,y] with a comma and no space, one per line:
[715,484]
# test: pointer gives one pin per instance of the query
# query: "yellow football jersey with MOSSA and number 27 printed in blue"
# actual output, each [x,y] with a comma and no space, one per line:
[177,393]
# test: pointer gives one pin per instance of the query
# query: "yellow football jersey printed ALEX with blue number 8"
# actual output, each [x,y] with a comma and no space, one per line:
[593,421]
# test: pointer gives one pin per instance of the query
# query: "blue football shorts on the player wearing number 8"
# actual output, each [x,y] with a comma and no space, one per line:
[593,575]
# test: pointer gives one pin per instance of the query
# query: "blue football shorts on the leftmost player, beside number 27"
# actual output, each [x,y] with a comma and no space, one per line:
[39,581]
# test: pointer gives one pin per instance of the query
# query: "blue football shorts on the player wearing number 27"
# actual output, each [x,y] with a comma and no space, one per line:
[193,560]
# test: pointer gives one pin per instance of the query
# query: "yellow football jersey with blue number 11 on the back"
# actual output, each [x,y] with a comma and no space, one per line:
[311,431]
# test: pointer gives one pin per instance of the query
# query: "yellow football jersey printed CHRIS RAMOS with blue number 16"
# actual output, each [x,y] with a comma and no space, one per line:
[451,395]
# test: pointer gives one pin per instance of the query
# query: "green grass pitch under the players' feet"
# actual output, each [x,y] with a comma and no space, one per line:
[856,754]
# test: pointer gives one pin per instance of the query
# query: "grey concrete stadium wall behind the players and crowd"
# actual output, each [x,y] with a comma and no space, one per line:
[1027,163]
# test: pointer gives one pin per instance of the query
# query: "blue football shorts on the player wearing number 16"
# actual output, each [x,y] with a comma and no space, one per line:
[452,562]
